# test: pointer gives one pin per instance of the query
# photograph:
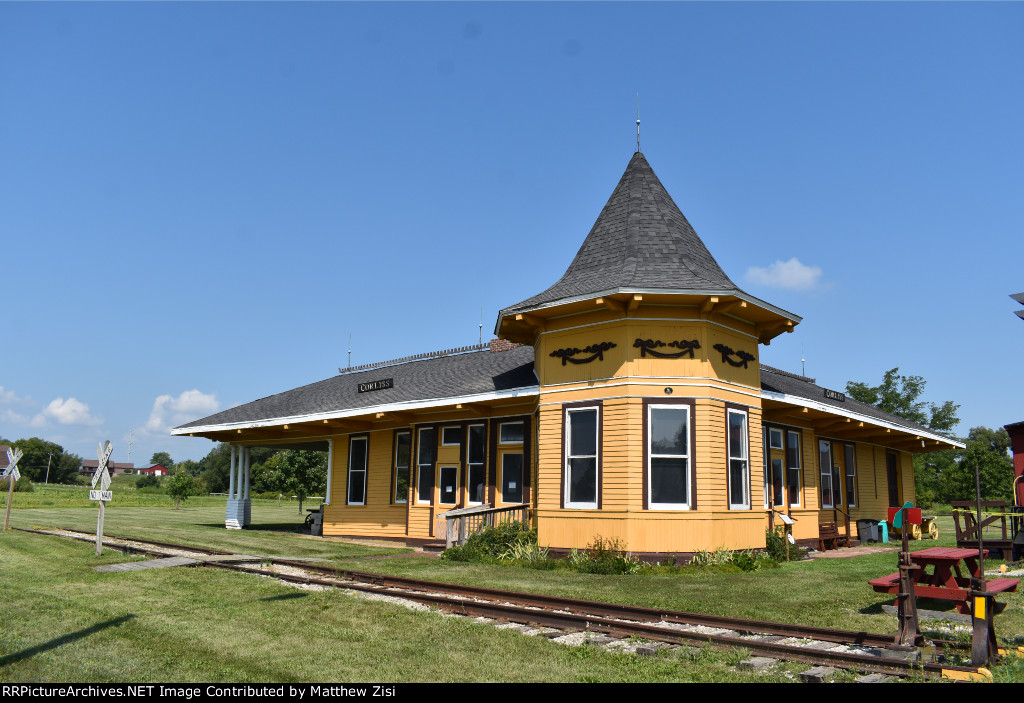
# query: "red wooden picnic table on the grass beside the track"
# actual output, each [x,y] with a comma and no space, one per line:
[941,577]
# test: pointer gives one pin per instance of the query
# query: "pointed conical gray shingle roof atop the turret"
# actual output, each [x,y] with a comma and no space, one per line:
[641,241]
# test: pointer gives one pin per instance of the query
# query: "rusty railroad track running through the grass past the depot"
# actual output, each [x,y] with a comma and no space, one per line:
[859,651]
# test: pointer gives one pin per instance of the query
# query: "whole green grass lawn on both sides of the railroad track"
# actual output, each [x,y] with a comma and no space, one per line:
[63,622]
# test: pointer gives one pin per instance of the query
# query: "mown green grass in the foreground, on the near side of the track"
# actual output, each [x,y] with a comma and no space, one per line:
[63,622]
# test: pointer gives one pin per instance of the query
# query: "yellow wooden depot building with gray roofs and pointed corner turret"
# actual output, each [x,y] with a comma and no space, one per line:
[626,402]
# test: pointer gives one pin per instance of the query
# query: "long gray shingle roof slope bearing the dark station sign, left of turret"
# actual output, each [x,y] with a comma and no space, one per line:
[448,377]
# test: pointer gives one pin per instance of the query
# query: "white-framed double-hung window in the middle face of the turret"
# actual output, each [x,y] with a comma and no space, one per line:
[668,457]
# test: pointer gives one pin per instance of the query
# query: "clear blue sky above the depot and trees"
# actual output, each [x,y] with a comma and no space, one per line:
[200,203]
